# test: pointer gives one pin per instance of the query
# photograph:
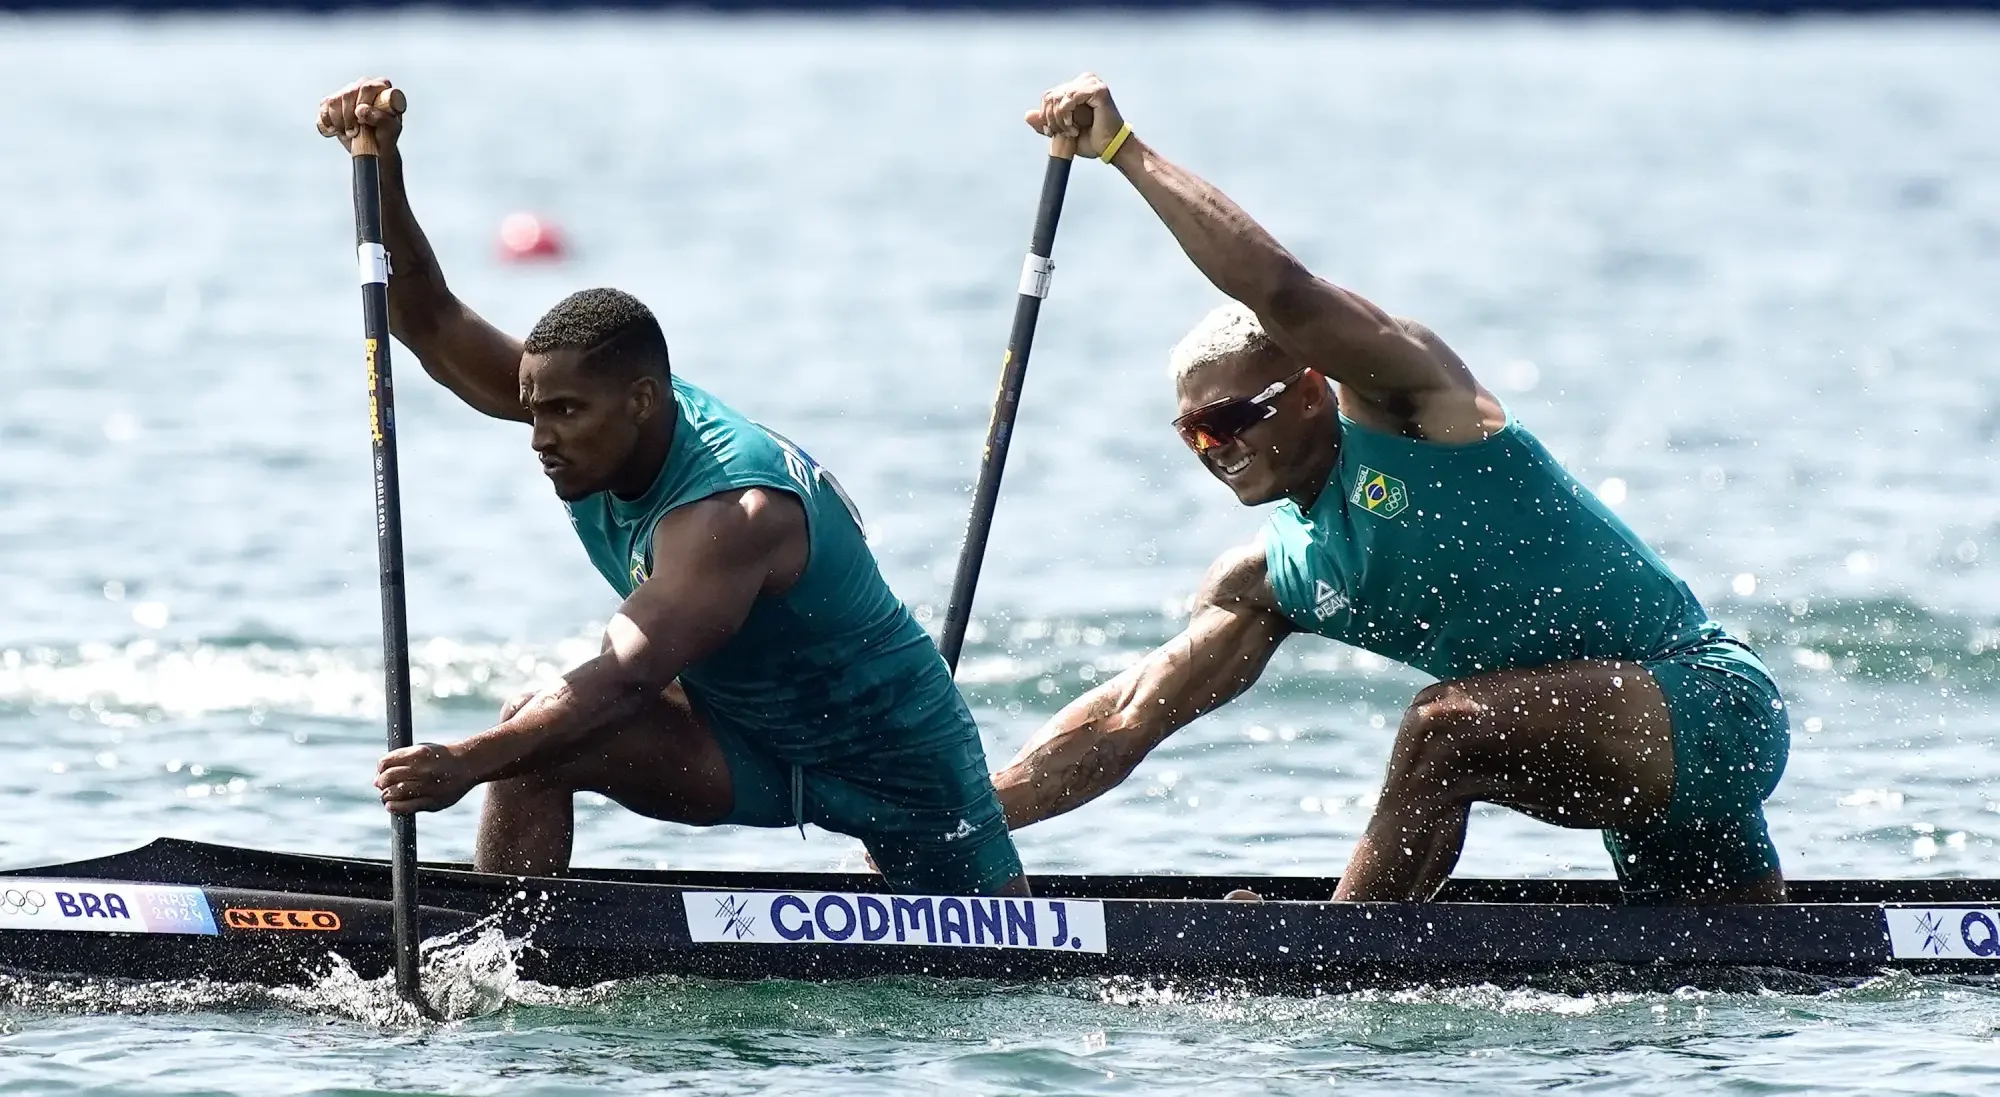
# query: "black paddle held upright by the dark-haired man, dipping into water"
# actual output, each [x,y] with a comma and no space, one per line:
[389,531]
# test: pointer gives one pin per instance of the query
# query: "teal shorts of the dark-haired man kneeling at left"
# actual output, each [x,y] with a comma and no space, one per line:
[929,816]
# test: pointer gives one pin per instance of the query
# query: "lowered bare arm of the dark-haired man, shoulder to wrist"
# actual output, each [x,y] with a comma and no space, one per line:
[727,552]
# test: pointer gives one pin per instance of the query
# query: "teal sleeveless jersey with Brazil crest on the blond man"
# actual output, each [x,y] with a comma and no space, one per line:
[1469,560]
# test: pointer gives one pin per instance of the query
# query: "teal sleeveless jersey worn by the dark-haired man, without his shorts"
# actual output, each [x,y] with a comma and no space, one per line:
[833,668]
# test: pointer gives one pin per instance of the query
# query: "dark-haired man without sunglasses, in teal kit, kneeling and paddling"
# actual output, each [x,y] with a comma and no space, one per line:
[759,672]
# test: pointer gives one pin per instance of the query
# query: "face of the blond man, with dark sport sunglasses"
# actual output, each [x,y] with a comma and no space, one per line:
[1267,459]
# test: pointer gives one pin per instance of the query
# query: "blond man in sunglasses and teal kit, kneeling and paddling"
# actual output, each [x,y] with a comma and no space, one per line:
[1579,680]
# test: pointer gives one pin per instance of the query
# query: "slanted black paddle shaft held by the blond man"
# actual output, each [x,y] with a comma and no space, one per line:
[1007,403]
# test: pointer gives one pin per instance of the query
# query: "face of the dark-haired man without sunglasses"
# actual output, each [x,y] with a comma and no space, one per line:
[585,423]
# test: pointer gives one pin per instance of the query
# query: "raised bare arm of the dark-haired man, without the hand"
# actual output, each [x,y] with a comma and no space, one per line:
[477,361]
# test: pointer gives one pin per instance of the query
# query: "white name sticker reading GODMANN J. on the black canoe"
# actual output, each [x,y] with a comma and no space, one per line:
[825,918]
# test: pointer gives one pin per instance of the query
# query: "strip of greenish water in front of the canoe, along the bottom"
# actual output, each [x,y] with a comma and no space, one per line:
[973,1038]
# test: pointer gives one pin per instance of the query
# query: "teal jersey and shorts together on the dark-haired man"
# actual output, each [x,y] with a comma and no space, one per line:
[831,702]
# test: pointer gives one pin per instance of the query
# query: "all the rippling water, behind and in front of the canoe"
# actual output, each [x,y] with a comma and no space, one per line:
[1741,277]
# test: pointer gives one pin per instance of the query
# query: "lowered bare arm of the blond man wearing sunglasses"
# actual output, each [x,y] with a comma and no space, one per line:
[1099,740]
